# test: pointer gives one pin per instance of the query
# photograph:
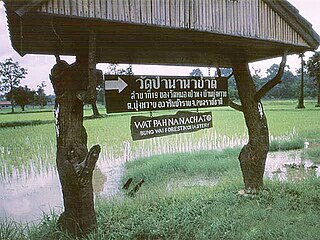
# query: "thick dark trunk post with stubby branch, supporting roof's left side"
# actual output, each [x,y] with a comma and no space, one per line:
[75,164]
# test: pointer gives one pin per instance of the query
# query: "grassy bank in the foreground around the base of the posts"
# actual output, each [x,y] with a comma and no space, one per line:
[201,210]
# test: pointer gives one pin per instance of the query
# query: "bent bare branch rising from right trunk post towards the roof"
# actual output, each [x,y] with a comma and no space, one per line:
[273,82]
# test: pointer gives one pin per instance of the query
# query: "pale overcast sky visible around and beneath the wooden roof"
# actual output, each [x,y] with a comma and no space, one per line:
[39,66]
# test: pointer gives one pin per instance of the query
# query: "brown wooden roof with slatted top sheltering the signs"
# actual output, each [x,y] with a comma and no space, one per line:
[180,32]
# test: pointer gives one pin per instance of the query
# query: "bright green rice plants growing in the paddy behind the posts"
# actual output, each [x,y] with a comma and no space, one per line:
[20,145]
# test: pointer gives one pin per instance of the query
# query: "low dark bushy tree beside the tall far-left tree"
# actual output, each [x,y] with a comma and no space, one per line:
[21,96]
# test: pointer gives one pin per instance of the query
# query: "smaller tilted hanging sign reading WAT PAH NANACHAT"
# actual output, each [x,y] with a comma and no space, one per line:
[182,122]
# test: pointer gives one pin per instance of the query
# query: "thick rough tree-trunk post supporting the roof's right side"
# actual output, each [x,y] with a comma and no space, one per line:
[253,155]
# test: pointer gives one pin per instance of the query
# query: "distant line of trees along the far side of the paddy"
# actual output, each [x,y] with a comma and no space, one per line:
[11,74]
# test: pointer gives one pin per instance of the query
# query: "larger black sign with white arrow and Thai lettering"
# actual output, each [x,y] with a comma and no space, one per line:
[125,93]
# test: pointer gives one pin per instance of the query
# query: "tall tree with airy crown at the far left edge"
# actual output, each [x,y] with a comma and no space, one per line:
[10,76]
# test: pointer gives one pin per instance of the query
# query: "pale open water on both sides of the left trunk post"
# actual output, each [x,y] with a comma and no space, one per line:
[25,197]
